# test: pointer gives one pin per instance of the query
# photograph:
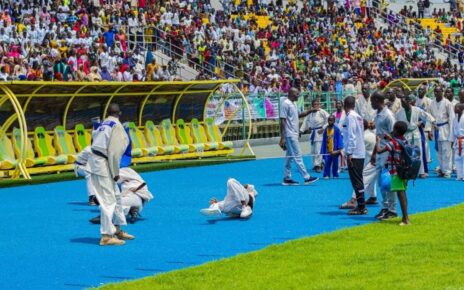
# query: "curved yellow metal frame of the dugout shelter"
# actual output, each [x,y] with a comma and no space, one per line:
[16,90]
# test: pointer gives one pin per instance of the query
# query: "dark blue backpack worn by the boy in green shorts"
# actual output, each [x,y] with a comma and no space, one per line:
[410,163]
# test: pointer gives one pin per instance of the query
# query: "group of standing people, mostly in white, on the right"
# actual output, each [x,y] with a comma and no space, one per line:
[370,133]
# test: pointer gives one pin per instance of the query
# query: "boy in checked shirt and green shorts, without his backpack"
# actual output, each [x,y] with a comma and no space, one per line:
[398,184]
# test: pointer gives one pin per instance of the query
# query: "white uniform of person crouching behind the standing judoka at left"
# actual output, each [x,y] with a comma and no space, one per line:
[134,190]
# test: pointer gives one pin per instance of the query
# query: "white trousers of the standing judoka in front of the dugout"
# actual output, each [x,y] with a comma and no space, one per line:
[109,197]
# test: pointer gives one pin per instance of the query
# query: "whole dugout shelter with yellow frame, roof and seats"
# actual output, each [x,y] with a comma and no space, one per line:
[58,116]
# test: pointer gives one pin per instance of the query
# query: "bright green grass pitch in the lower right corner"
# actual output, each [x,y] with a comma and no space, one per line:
[382,255]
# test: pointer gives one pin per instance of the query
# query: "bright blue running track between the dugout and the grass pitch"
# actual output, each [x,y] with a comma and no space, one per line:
[46,241]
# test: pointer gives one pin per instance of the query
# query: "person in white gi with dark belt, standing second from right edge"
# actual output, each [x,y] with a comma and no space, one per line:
[443,112]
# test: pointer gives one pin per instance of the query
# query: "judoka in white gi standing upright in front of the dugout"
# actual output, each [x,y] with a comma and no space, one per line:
[108,146]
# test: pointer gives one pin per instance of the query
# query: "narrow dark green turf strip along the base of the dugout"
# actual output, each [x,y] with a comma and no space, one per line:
[143,167]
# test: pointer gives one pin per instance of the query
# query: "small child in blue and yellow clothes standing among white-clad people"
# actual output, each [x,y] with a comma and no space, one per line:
[332,144]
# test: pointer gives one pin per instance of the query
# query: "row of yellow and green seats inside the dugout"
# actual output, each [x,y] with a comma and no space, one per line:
[163,142]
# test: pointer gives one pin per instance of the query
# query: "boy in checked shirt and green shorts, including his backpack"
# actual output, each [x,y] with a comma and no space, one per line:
[403,163]
